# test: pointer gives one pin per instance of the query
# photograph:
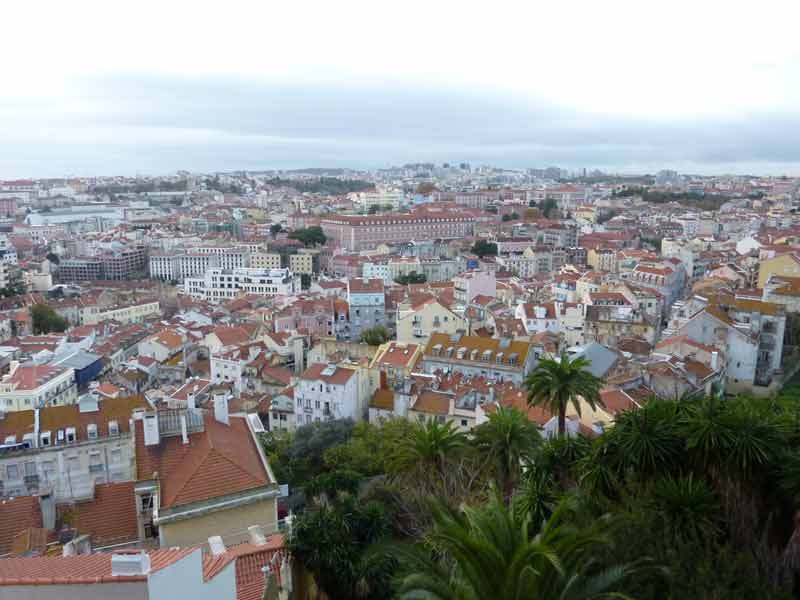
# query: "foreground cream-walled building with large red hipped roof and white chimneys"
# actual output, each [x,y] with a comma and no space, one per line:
[200,475]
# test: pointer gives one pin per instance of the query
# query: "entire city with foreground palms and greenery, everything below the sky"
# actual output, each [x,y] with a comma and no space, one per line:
[232,384]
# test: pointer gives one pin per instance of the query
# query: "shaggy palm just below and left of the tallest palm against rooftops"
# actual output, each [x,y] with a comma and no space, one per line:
[508,438]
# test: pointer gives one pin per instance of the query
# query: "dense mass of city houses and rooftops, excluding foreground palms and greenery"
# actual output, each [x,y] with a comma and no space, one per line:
[134,423]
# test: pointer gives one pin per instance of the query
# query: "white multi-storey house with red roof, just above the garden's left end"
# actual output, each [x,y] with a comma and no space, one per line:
[325,392]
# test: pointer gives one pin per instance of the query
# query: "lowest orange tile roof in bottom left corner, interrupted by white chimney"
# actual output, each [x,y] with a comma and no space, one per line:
[83,569]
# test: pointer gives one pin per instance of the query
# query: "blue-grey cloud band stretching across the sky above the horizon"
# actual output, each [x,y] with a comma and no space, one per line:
[254,126]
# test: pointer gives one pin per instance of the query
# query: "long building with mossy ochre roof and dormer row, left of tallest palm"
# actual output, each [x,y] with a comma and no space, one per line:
[474,356]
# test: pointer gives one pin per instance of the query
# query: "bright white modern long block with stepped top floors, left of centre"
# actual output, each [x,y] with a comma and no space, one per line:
[218,285]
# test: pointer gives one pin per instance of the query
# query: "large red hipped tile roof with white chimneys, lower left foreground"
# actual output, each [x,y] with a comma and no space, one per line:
[216,462]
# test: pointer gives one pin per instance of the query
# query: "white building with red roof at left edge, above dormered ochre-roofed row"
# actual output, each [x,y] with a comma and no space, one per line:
[30,386]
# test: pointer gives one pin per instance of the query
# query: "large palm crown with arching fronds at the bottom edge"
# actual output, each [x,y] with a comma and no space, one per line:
[493,552]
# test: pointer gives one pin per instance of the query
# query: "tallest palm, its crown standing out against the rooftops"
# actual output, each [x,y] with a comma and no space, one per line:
[555,383]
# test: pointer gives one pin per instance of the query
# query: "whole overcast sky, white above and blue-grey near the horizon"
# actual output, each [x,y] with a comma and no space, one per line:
[153,87]
